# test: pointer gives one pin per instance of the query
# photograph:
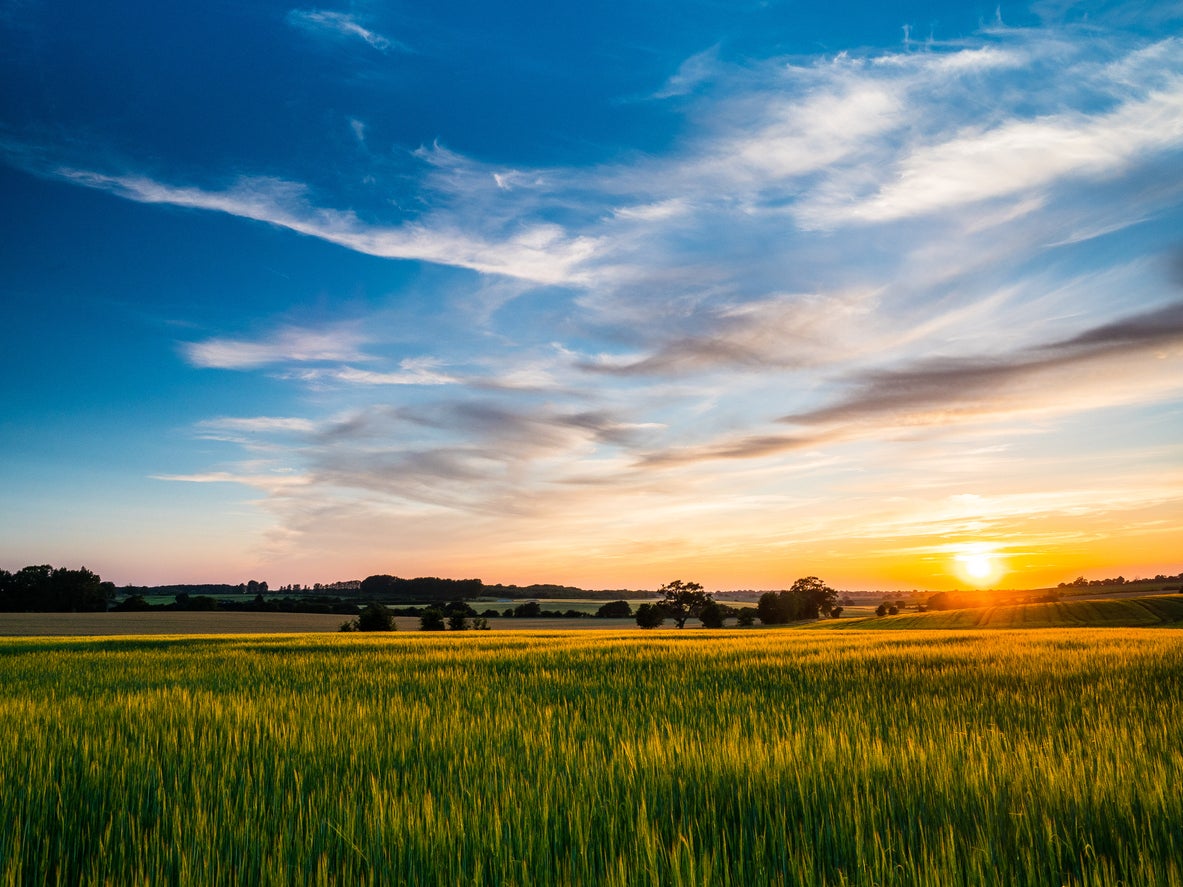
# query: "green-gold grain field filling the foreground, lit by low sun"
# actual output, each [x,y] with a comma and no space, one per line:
[596,759]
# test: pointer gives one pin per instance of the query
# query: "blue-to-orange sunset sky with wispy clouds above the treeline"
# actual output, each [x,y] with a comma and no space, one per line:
[604,295]
